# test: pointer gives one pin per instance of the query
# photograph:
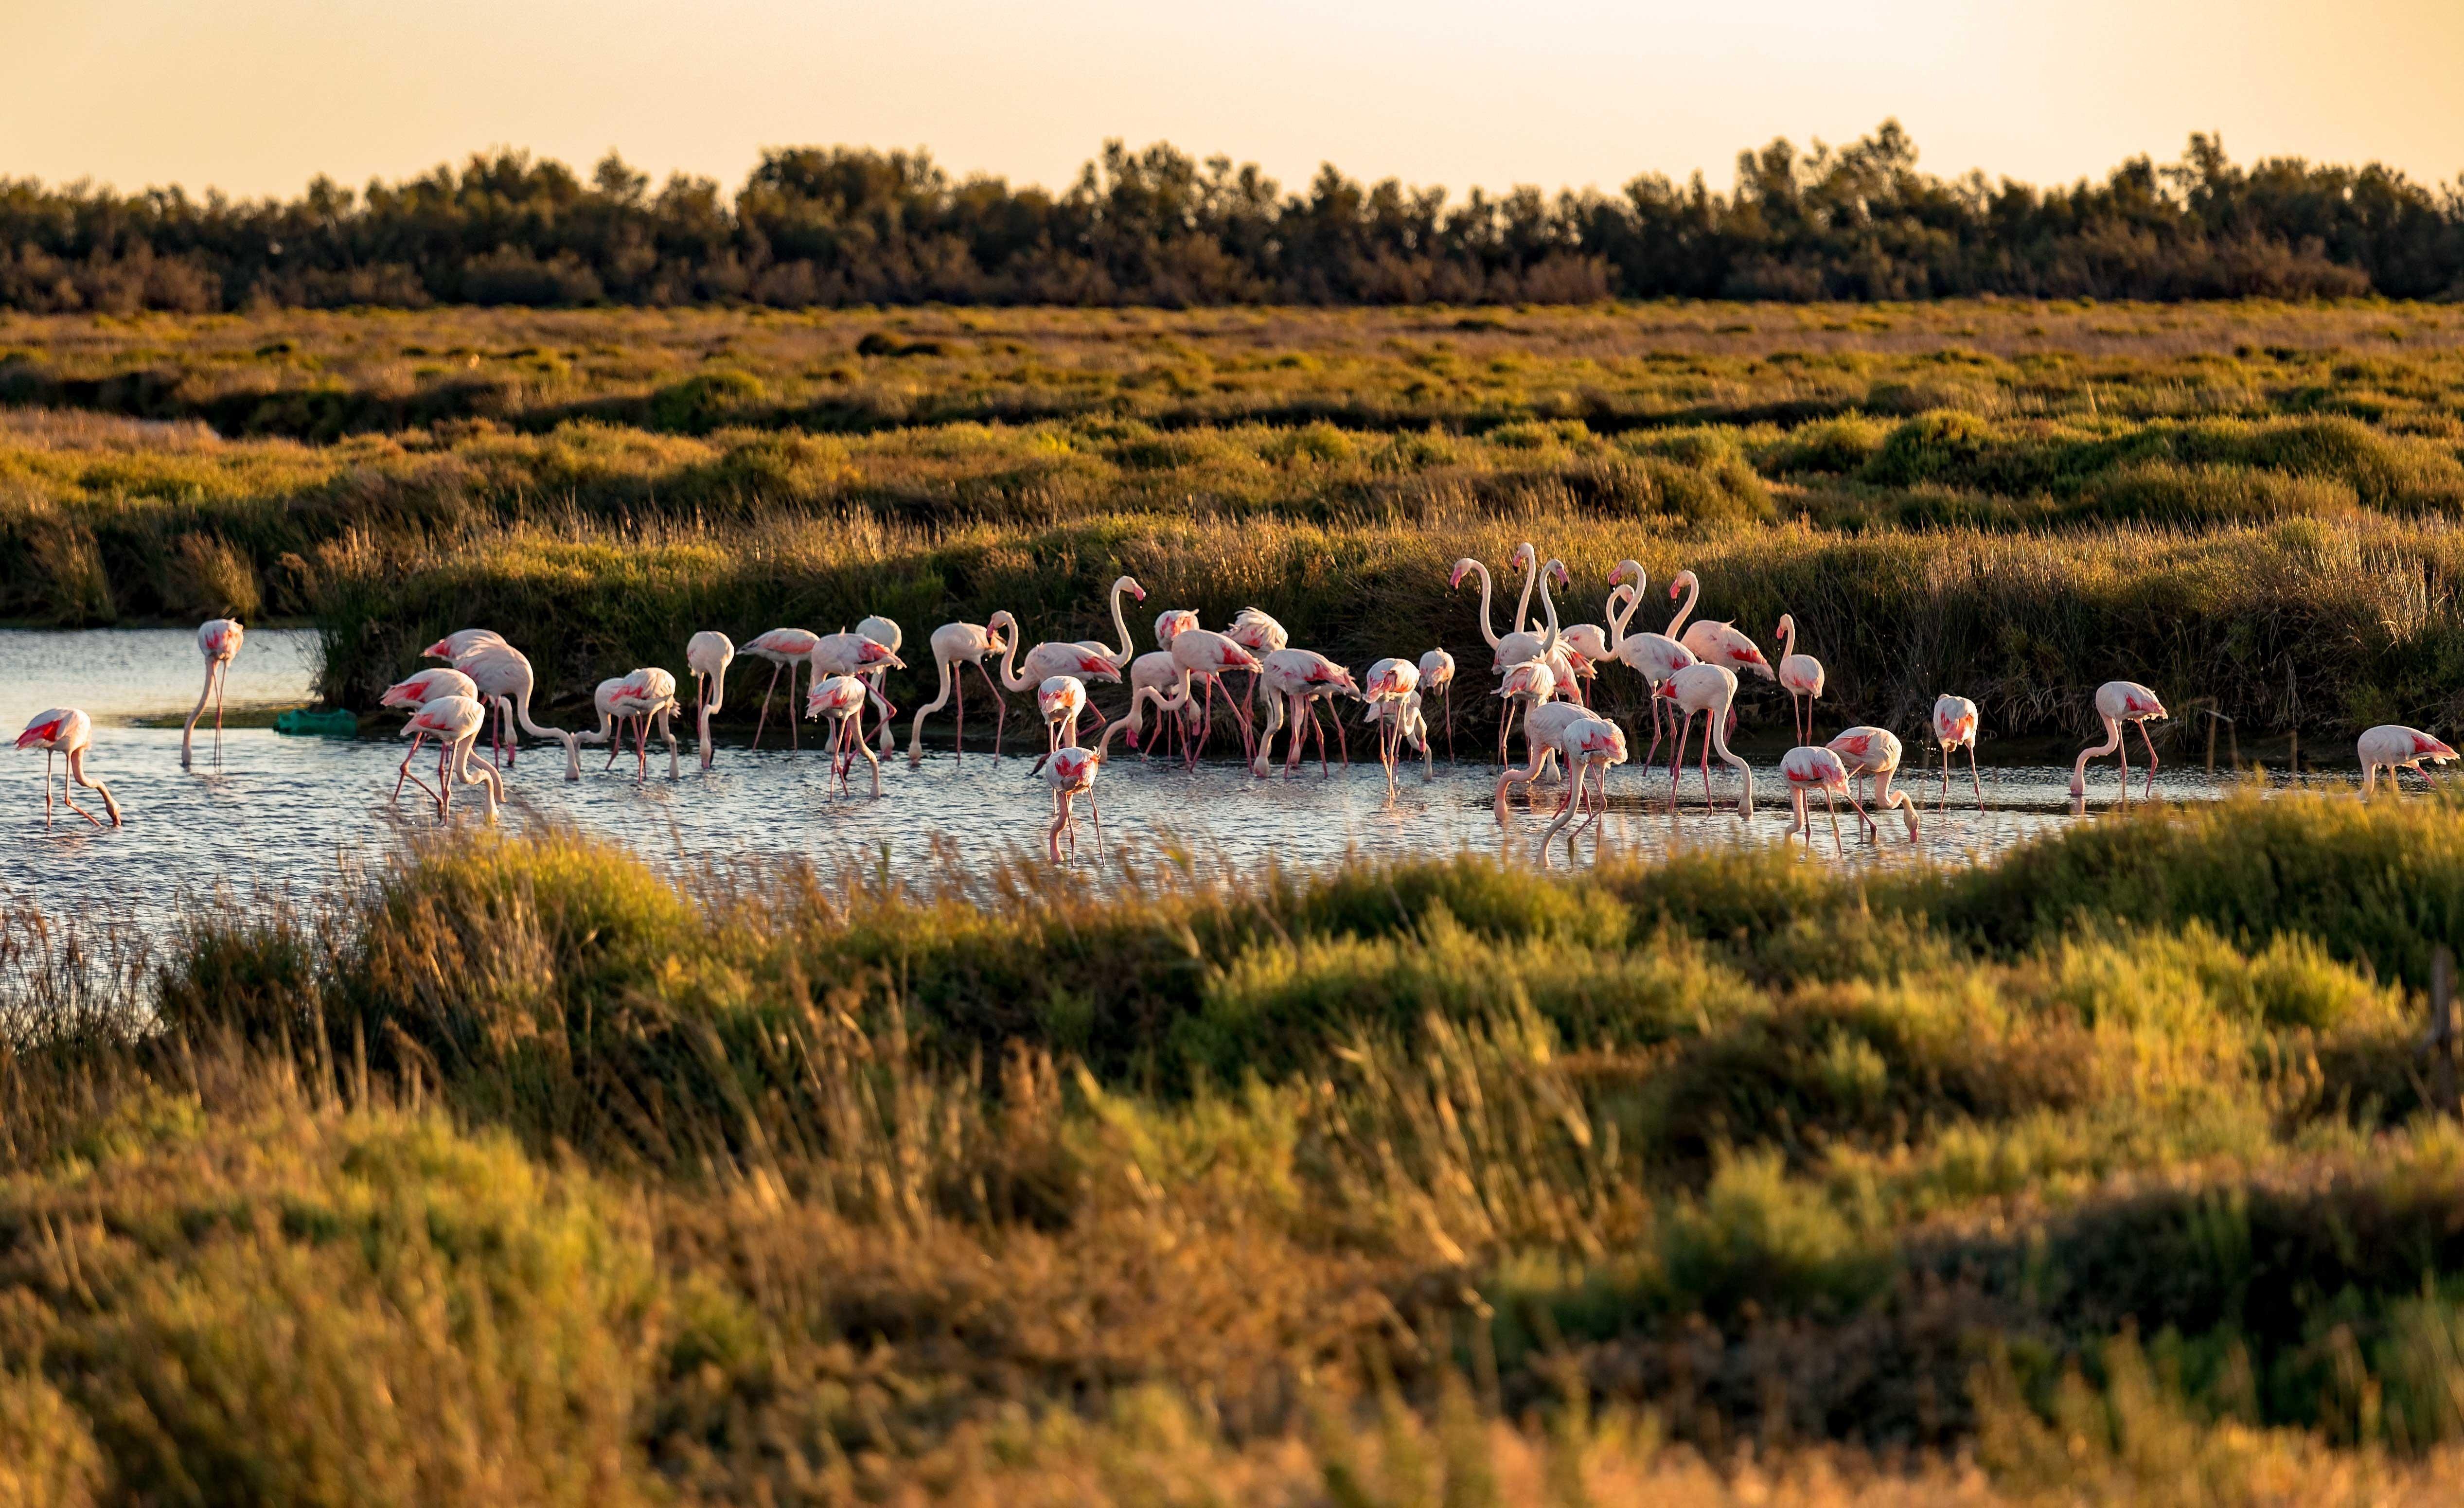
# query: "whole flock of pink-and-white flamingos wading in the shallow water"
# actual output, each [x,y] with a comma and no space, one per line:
[1544,679]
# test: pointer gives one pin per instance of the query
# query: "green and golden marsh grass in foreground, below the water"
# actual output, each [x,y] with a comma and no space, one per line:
[531,1177]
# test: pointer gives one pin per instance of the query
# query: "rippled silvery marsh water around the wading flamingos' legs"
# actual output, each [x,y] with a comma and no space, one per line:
[272,812]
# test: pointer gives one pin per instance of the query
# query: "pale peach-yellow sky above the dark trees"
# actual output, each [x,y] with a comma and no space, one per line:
[260,95]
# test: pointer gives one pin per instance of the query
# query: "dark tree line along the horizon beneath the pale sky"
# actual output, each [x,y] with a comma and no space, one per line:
[1157,225]
